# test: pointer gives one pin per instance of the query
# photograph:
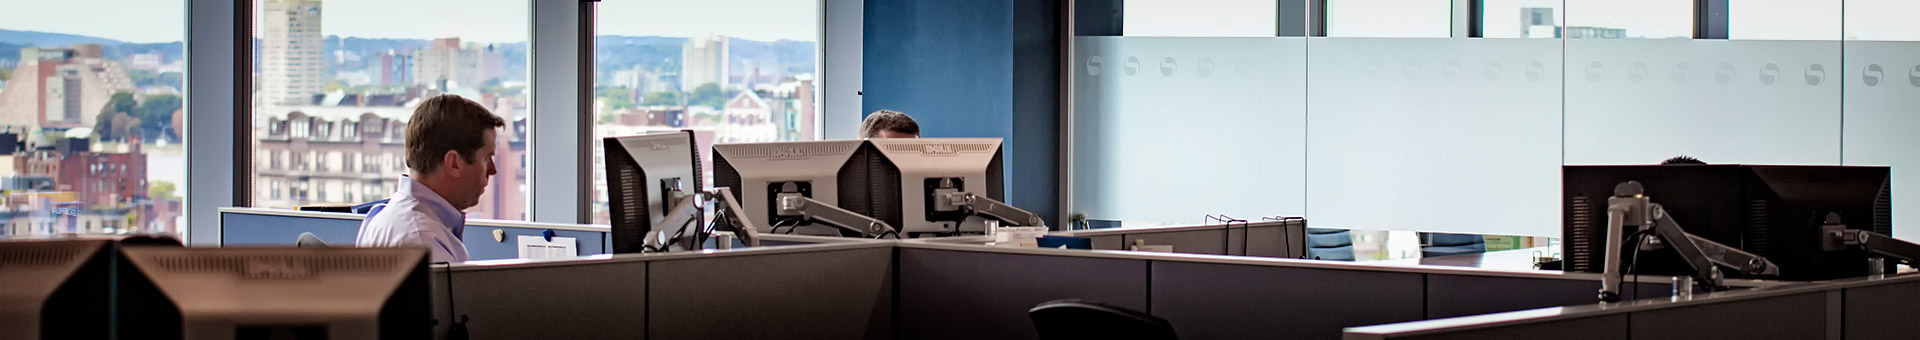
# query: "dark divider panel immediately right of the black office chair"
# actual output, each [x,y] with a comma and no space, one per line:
[1216,301]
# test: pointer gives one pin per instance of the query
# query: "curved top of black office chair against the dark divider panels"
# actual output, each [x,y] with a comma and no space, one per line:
[1074,320]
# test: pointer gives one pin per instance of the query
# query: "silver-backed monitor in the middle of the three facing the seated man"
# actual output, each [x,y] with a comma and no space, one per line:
[832,172]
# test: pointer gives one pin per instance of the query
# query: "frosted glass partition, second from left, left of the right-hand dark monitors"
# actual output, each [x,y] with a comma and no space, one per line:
[1456,135]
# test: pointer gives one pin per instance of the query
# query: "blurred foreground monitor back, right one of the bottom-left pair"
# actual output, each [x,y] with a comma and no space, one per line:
[277,293]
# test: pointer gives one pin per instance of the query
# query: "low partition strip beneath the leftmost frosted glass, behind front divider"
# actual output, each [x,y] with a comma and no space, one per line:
[1274,239]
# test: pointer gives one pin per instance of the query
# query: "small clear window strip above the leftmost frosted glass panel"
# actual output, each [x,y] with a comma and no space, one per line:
[1201,18]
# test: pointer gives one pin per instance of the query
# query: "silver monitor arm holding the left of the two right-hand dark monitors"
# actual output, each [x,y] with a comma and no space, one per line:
[1633,208]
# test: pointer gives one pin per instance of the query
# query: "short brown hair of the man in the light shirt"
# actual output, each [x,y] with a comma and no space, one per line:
[444,124]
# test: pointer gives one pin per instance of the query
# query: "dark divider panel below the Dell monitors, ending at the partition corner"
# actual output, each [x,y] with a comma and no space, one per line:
[836,295]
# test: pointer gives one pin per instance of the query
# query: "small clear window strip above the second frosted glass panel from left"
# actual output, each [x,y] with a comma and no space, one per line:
[1391,18]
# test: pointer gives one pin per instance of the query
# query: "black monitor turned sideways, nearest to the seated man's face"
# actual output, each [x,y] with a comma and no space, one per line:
[646,176]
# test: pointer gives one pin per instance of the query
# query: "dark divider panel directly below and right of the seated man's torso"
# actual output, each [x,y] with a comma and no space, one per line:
[575,301]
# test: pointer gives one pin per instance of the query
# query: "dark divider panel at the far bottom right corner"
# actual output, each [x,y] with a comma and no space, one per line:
[1883,312]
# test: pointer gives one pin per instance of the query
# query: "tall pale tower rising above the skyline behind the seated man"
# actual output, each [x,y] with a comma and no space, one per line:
[291,53]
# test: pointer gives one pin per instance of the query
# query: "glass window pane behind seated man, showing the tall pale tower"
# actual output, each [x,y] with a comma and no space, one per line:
[345,76]
